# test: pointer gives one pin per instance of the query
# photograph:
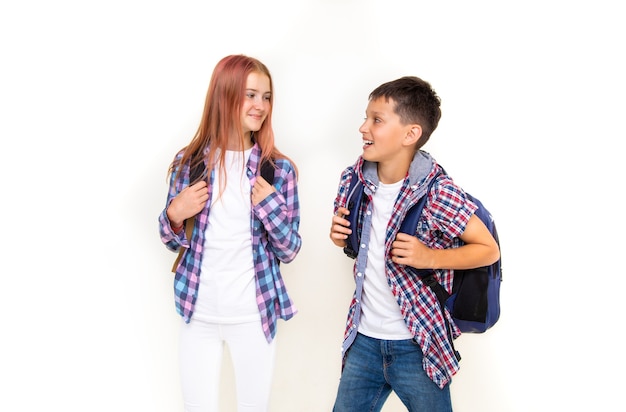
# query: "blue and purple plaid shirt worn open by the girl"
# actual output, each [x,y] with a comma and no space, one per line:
[279,214]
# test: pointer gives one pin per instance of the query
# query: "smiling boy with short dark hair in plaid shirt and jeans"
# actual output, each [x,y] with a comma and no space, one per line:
[396,337]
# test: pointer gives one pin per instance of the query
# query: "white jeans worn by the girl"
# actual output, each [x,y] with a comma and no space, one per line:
[201,350]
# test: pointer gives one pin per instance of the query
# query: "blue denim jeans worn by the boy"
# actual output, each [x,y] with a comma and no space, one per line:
[375,367]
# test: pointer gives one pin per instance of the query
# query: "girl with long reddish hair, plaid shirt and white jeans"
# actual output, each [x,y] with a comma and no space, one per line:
[228,286]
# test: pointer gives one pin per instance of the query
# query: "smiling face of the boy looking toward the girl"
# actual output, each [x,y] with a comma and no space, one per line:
[384,135]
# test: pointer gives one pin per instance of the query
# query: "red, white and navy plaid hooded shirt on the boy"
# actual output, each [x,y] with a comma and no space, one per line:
[445,215]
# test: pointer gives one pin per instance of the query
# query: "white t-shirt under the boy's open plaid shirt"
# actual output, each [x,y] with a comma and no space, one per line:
[381,317]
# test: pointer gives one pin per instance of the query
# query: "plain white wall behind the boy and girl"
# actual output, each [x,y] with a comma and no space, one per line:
[97,96]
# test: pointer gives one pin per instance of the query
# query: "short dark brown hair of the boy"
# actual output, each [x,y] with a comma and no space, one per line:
[416,102]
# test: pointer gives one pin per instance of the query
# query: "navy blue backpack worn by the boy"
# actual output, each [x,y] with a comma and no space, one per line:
[475,300]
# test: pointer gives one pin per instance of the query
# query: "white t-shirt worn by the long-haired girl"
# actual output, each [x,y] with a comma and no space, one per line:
[227,292]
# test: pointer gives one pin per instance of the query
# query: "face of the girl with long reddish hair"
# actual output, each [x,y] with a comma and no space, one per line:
[256,102]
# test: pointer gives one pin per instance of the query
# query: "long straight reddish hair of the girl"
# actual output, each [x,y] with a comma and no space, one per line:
[222,116]
